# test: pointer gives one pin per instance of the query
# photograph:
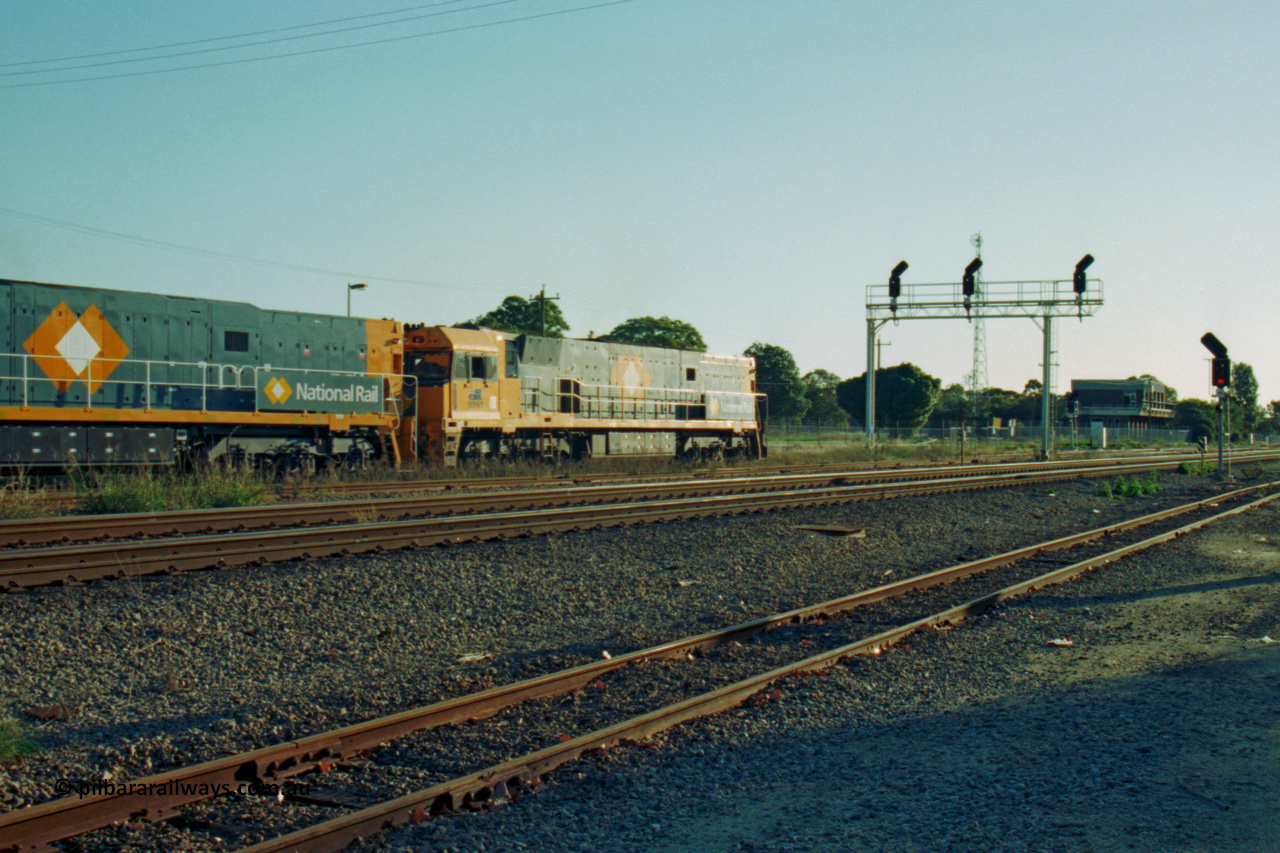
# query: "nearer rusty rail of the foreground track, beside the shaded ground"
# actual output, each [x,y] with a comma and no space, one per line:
[479,788]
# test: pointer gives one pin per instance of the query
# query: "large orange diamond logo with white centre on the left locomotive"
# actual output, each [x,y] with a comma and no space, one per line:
[68,348]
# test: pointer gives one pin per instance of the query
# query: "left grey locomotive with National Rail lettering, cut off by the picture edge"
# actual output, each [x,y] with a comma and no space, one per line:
[195,368]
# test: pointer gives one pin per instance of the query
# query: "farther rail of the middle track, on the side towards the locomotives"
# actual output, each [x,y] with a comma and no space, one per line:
[35,532]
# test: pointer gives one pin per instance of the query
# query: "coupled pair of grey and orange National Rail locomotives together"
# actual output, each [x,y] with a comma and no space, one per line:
[106,378]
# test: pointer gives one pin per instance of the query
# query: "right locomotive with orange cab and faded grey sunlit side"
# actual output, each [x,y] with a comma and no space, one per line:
[579,399]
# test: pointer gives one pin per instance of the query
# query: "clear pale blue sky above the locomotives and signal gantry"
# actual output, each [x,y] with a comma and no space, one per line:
[749,167]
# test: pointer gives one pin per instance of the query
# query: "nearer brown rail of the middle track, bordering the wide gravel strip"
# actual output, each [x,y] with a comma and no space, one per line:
[75,564]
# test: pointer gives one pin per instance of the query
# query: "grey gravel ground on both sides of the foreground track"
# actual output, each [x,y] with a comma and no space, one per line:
[164,672]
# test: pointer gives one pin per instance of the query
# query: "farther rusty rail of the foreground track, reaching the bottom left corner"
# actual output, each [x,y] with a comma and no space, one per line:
[45,824]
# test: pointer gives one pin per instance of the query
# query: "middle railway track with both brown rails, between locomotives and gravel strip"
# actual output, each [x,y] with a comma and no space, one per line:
[536,514]
